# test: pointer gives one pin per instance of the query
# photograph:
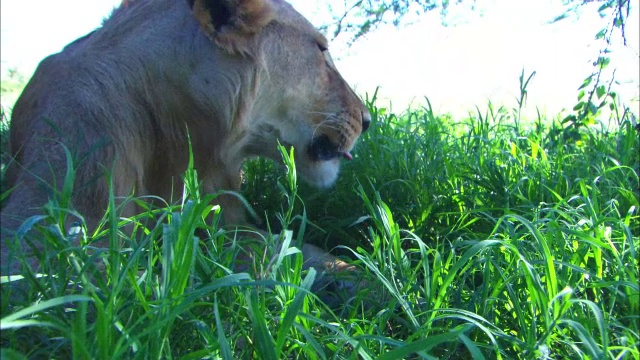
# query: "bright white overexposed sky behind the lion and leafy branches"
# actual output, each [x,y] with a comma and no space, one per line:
[456,67]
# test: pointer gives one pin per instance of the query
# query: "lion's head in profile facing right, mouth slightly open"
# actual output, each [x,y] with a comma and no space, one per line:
[301,99]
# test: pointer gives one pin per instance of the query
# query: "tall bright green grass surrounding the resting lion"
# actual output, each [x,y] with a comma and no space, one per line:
[475,238]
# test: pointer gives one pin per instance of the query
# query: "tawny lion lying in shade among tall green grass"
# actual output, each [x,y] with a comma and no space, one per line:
[229,79]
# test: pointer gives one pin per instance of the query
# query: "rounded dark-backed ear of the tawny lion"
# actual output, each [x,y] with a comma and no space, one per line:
[232,23]
